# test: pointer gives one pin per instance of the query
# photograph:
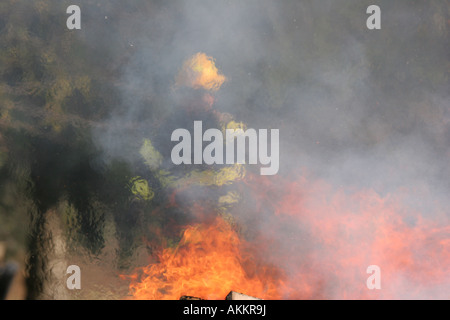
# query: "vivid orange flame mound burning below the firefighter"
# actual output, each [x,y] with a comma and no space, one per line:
[209,262]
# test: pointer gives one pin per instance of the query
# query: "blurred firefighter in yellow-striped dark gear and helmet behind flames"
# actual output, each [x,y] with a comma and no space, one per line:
[210,186]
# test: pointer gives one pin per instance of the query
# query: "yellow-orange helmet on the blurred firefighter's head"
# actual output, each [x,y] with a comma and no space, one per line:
[200,72]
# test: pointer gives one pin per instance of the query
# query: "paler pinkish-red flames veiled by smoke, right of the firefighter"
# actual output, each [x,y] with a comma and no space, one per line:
[336,234]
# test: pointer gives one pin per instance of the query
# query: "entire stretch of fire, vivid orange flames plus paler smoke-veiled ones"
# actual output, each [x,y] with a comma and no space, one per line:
[317,242]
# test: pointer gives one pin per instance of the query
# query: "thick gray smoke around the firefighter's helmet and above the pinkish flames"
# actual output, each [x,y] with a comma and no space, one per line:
[346,98]
